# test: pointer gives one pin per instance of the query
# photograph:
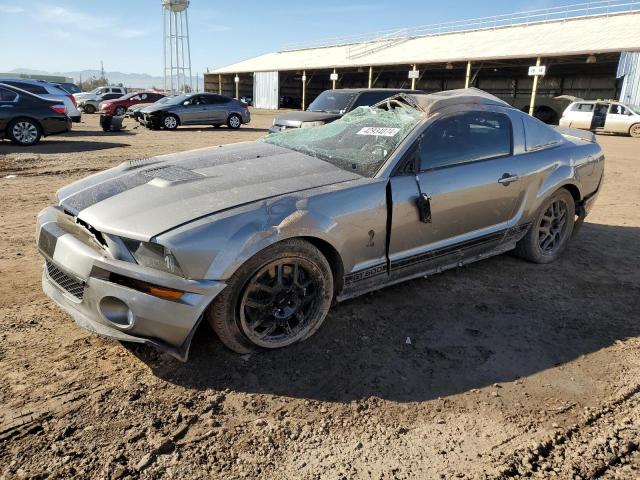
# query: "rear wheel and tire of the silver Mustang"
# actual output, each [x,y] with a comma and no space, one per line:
[550,231]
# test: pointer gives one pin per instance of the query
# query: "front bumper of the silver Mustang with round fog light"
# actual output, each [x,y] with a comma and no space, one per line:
[86,281]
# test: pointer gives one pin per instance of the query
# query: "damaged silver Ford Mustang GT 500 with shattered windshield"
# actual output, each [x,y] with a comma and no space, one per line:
[261,237]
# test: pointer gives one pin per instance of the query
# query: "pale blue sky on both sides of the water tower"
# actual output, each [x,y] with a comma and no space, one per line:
[64,35]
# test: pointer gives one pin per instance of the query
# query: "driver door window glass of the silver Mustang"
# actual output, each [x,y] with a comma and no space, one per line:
[465,137]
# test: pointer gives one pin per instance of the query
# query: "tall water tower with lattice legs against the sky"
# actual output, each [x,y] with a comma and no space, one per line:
[176,49]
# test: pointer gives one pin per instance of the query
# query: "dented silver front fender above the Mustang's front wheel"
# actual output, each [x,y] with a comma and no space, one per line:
[351,218]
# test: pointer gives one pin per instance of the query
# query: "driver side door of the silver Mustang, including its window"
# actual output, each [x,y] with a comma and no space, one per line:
[468,183]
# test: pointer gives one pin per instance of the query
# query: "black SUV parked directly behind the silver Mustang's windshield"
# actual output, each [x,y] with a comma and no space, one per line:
[332,104]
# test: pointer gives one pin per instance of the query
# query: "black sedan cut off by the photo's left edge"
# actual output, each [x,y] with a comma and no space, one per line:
[25,117]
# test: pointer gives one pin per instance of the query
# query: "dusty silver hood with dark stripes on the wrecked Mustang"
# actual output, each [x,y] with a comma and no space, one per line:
[142,199]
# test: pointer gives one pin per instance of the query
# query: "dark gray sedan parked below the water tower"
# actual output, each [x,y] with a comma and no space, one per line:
[196,109]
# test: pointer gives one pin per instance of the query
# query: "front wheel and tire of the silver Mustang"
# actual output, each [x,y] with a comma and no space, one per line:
[279,297]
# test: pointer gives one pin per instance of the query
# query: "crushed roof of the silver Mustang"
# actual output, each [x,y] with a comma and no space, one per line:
[429,103]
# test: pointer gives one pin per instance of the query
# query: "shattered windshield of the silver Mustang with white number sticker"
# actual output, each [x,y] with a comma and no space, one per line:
[360,141]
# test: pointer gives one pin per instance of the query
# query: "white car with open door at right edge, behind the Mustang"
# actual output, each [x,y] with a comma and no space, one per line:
[602,116]
